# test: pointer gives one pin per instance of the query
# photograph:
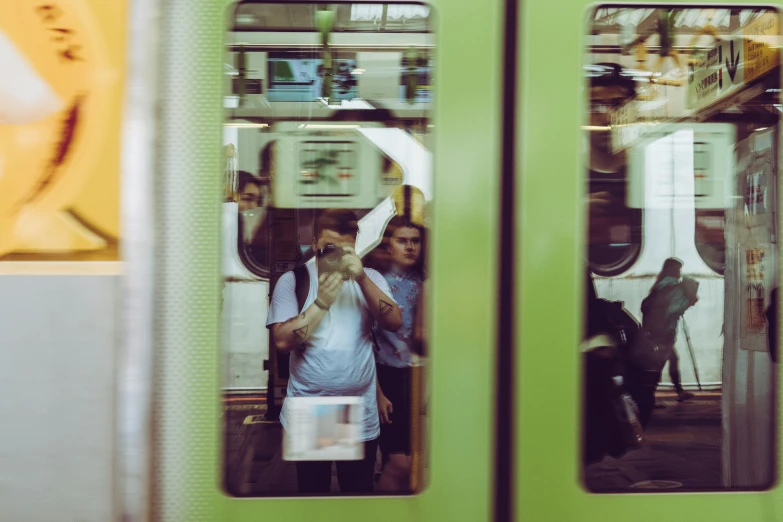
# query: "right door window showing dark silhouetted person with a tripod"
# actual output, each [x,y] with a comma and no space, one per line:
[681,309]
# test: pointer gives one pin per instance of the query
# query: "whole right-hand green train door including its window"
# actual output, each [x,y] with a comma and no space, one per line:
[648,144]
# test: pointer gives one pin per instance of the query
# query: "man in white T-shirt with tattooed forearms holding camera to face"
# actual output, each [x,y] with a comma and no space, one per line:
[330,342]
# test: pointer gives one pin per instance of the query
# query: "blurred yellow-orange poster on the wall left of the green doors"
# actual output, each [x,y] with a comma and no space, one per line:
[60,122]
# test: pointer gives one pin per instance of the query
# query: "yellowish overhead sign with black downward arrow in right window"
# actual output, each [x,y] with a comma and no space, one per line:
[716,73]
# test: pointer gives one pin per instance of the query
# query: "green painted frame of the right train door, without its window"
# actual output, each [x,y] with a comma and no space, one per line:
[551,241]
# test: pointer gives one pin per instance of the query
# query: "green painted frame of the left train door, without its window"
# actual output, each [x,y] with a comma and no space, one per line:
[467,146]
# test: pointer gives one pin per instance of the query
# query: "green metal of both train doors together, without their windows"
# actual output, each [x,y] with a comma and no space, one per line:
[481,102]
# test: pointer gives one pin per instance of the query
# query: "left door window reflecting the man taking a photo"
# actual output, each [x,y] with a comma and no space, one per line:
[327,188]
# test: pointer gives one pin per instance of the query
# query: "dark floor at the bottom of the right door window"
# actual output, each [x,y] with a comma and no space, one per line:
[682,450]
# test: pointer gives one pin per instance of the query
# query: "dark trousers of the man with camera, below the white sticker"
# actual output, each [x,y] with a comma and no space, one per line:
[354,476]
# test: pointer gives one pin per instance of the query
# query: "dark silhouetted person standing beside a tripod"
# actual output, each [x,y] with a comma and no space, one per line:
[661,312]
